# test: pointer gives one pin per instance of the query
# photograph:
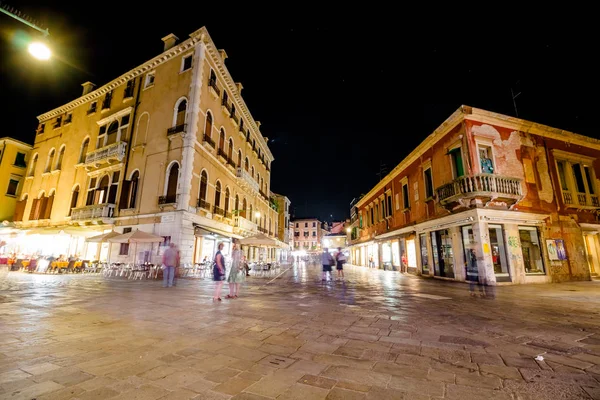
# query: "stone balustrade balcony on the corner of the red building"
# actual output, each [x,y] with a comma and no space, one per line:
[480,190]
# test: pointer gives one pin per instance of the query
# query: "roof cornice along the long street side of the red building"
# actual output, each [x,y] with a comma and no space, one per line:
[446,126]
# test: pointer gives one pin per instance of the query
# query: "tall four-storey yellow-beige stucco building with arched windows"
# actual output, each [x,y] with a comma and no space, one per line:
[168,147]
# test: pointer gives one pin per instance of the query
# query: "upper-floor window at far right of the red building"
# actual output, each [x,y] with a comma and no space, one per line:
[577,179]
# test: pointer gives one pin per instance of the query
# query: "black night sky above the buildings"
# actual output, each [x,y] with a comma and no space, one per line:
[337,92]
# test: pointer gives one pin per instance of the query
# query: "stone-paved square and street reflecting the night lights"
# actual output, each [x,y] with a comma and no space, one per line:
[378,335]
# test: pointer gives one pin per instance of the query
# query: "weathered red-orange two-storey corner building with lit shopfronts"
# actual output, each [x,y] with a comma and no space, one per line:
[514,199]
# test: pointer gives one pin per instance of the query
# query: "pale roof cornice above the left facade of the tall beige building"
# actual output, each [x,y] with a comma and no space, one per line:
[134,73]
